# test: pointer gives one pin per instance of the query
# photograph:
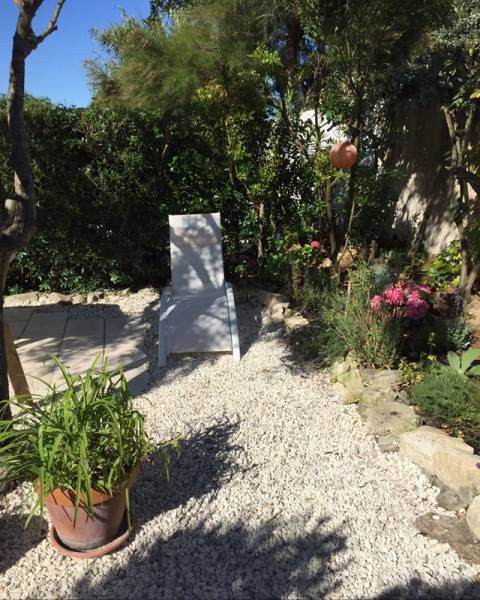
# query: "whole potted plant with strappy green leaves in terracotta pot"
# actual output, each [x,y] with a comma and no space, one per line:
[81,447]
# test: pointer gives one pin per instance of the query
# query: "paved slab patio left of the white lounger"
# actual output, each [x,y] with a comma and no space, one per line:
[77,342]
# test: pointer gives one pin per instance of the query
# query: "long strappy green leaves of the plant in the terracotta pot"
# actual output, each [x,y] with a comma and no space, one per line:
[83,435]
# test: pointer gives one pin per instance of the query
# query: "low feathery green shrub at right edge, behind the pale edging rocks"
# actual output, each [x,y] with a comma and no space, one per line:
[449,396]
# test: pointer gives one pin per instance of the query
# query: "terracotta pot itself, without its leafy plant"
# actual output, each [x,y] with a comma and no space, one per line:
[88,532]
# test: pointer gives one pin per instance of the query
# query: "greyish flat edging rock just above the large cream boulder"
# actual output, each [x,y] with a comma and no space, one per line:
[388,418]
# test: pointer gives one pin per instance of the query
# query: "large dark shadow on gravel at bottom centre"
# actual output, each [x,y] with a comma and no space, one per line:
[205,563]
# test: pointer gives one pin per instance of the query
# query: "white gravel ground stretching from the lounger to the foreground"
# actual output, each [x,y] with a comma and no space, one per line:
[279,493]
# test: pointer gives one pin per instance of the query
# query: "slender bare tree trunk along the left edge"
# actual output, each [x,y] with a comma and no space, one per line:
[17,219]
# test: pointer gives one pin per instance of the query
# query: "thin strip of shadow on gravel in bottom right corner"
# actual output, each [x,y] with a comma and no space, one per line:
[416,589]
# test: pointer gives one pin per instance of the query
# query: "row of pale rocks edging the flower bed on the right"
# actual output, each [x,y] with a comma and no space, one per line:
[449,461]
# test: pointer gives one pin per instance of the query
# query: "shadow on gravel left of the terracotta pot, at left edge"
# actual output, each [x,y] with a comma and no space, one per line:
[15,540]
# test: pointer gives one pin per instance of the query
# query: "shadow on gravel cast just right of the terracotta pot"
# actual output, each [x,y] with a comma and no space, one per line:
[206,460]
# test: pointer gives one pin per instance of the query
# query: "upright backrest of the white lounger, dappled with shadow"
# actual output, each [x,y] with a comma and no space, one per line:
[196,253]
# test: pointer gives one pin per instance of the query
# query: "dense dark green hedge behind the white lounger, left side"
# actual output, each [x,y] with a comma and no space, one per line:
[105,182]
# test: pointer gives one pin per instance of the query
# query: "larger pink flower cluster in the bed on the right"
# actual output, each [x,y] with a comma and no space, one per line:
[408,300]
